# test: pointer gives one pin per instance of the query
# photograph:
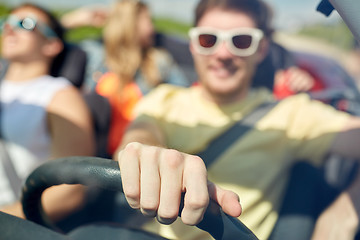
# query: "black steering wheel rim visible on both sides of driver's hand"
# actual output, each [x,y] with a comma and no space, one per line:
[105,173]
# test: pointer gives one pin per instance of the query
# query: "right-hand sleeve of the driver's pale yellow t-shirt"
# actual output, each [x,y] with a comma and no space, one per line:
[313,125]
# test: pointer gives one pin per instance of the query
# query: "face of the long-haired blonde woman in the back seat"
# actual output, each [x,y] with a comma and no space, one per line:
[146,31]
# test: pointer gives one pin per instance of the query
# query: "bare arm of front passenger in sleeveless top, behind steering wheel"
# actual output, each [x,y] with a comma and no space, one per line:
[70,126]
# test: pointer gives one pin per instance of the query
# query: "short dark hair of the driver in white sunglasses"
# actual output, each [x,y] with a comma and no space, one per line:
[257,9]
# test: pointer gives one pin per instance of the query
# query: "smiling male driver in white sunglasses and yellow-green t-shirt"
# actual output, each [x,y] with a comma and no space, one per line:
[227,44]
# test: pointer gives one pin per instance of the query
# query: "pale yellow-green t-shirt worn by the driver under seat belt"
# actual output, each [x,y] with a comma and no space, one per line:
[256,166]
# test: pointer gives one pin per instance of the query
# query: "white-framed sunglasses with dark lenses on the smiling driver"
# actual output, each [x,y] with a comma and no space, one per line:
[241,42]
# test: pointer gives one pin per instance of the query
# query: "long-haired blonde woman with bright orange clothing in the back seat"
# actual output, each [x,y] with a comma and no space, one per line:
[135,65]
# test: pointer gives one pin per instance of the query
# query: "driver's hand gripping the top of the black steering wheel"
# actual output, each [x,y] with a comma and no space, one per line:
[154,178]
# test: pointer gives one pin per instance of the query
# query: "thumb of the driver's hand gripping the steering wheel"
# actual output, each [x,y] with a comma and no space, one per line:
[227,200]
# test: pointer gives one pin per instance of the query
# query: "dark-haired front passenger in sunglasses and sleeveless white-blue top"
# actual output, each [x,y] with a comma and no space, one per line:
[42,117]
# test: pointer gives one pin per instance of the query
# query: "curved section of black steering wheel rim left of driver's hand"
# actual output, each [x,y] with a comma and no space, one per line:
[88,171]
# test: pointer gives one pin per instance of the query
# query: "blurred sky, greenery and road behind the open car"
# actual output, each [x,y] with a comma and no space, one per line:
[299,26]
